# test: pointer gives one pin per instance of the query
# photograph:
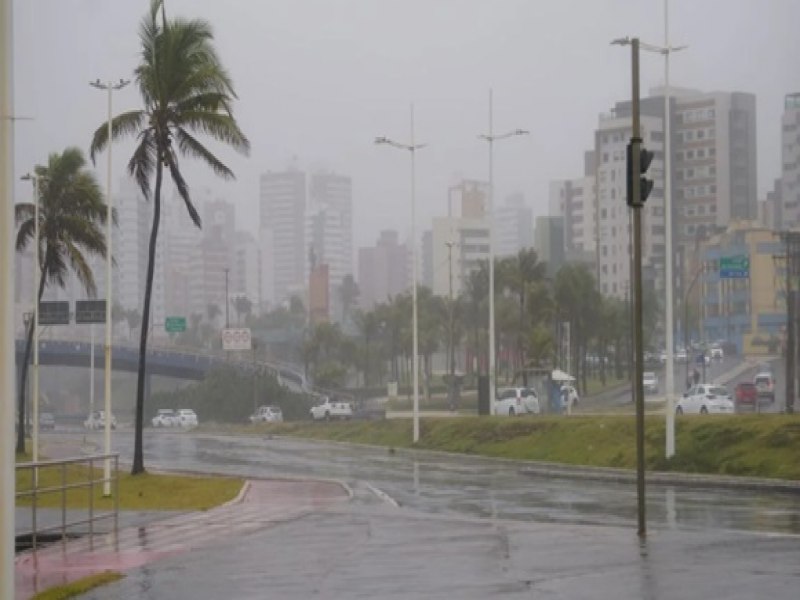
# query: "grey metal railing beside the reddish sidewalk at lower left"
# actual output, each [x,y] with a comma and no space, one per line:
[89,481]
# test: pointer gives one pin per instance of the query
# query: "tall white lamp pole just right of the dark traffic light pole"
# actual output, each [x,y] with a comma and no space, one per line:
[670,376]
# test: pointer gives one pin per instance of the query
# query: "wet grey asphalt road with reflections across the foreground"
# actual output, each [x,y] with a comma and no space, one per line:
[425,525]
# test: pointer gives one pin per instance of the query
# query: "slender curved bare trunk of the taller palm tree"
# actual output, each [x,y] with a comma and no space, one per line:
[138,456]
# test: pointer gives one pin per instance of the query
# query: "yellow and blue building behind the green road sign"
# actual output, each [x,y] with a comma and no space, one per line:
[750,311]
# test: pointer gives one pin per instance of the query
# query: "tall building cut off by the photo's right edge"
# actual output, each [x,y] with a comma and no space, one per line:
[788,214]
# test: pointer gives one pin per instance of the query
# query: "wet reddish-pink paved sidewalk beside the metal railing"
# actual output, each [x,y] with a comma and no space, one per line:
[260,505]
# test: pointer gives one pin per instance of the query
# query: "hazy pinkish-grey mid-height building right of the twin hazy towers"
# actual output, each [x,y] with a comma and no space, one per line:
[382,270]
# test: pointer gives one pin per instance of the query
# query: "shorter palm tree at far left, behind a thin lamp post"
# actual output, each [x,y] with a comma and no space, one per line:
[71,218]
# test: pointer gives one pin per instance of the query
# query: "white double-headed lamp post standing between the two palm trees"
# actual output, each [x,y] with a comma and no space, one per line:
[109,87]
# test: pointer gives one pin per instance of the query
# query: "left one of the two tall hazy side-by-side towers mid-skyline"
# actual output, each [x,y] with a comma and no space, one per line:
[283,234]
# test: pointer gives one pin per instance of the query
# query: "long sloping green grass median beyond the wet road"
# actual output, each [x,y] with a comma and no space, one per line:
[744,445]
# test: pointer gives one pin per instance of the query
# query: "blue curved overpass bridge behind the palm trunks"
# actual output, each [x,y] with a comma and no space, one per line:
[168,362]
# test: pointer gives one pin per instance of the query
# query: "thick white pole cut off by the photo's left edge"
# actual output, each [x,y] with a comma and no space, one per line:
[7,349]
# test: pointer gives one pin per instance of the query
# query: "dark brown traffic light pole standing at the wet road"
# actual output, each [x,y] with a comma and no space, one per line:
[636,203]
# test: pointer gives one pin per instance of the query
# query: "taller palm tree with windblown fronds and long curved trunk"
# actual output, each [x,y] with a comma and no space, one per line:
[186,91]
